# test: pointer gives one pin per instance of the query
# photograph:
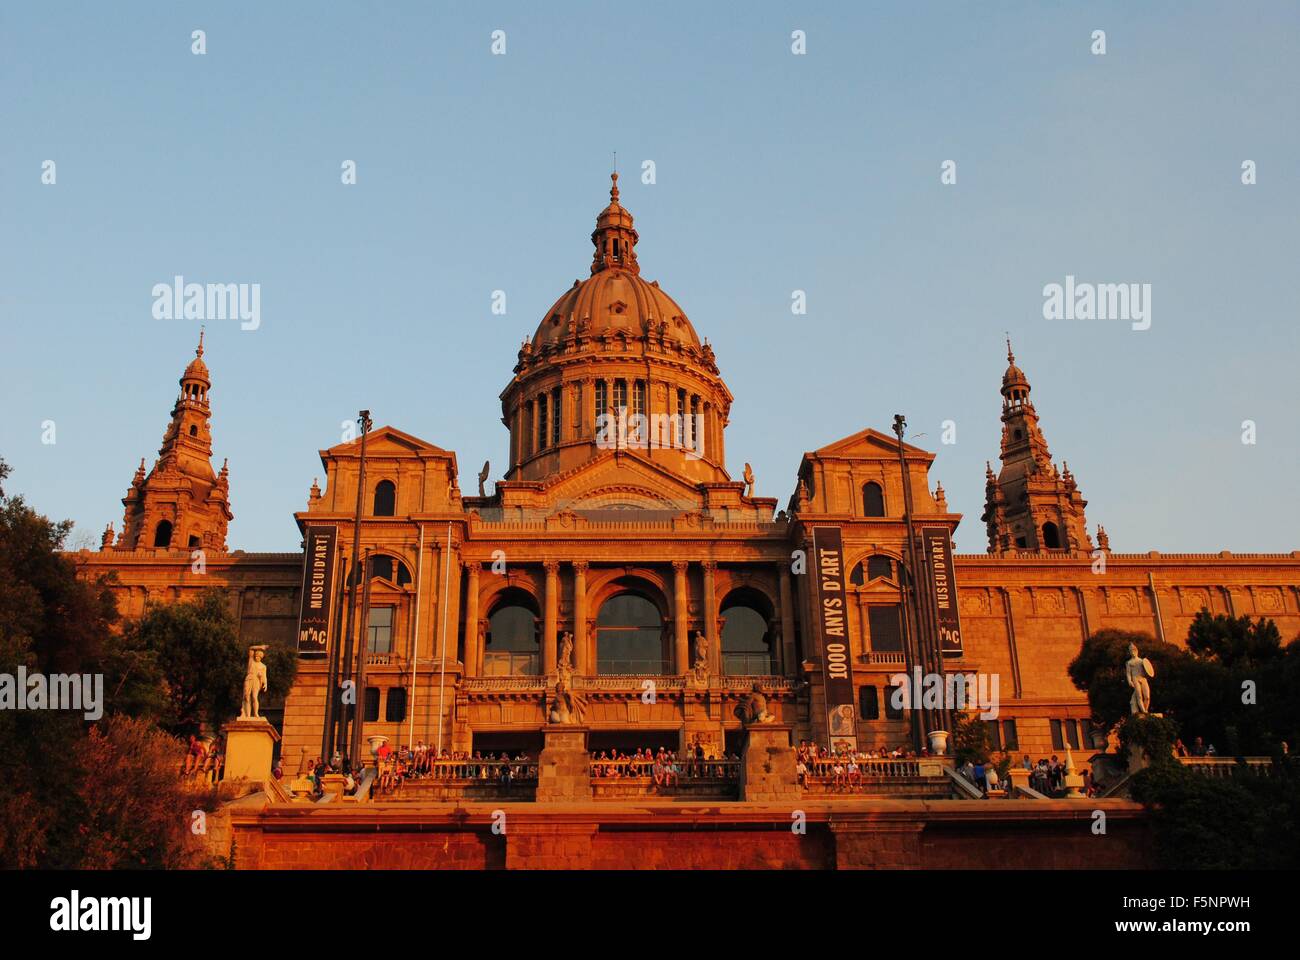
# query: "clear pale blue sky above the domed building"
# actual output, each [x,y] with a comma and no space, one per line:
[775,172]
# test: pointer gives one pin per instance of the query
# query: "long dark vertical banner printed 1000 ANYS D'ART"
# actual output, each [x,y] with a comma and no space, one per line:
[837,659]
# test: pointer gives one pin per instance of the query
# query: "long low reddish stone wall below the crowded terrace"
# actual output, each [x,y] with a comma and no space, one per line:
[952,834]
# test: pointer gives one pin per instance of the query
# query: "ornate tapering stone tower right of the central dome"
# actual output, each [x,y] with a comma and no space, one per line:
[1030,505]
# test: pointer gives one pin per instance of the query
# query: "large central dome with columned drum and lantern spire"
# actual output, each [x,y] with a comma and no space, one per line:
[616,345]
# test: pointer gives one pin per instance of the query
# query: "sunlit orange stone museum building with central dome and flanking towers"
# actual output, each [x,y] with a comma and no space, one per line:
[476,591]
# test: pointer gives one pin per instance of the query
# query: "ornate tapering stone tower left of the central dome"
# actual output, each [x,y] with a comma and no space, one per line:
[181,503]
